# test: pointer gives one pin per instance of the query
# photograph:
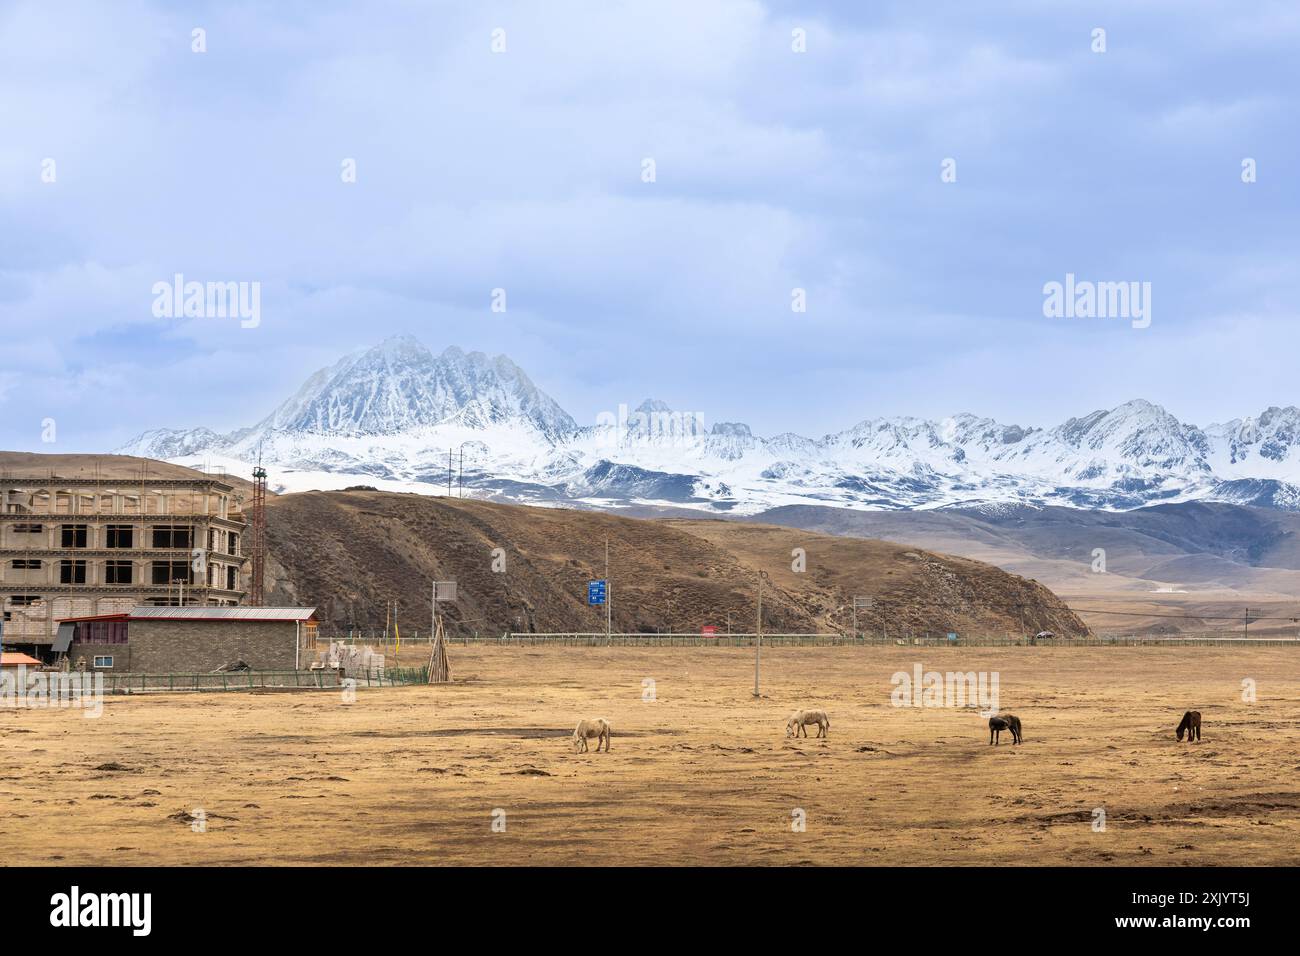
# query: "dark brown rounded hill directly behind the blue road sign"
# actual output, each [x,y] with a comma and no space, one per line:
[352,552]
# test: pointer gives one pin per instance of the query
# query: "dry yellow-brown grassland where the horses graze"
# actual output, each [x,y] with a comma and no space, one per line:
[700,776]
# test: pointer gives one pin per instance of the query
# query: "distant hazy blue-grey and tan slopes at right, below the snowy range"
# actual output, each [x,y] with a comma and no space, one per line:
[1190,568]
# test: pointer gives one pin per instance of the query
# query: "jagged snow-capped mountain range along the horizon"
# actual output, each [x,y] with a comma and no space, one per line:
[400,417]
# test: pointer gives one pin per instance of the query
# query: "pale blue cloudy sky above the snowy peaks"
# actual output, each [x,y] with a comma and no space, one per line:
[920,170]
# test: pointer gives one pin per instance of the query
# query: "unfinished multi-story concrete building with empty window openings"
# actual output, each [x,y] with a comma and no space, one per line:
[75,548]
